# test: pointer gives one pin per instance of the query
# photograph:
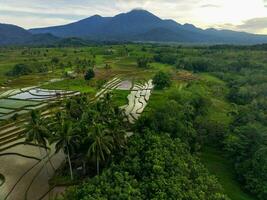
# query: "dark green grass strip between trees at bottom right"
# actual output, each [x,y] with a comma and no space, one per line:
[222,168]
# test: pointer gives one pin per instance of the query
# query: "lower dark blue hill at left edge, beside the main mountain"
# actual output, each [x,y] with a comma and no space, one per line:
[15,35]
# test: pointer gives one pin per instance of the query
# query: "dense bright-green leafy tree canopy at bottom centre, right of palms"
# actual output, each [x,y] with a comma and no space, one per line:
[154,167]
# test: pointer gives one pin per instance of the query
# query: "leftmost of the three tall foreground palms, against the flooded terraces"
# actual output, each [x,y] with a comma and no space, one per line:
[37,132]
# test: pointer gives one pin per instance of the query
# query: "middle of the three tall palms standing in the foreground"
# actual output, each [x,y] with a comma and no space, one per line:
[65,139]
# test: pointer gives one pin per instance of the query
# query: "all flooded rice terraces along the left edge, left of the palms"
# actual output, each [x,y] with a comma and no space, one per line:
[24,172]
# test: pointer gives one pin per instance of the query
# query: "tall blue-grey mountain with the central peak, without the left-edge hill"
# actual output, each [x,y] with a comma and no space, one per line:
[141,25]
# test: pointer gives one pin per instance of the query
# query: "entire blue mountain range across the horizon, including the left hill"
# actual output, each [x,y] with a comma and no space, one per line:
[136,26]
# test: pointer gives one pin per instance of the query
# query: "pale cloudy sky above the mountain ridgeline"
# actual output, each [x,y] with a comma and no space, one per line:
[241,15]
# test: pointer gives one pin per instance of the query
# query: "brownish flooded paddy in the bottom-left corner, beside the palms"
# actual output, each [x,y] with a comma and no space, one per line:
[26,175]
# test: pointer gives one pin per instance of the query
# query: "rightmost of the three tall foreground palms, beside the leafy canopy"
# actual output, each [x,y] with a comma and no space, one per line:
[102,144]
